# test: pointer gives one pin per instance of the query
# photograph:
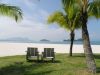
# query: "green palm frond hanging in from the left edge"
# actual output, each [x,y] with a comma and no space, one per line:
[11,11]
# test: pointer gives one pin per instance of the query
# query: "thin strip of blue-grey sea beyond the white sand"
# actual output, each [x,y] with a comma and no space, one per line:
[51,42]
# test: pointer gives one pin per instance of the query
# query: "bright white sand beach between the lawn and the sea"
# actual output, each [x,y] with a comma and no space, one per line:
[9,49]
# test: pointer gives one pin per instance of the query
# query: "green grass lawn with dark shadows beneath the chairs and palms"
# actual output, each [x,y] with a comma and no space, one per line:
[64,65]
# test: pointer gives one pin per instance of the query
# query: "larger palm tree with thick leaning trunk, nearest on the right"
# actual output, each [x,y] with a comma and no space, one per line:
[87,8]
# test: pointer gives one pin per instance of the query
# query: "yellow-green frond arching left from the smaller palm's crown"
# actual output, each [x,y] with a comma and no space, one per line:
[60,19]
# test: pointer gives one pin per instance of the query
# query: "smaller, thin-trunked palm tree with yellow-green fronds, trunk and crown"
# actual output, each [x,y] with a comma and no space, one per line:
[68,21]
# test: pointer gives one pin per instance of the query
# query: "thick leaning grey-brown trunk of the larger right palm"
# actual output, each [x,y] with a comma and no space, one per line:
[86,44]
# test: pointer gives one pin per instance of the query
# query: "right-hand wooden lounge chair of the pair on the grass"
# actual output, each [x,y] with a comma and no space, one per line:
[48,53]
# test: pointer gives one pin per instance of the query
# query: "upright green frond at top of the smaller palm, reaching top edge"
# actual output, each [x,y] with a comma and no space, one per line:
[70,7]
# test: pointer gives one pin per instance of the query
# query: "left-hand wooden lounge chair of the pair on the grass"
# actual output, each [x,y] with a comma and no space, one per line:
[32,53]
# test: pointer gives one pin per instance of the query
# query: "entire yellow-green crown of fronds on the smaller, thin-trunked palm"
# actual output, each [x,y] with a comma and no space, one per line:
[71,19]
